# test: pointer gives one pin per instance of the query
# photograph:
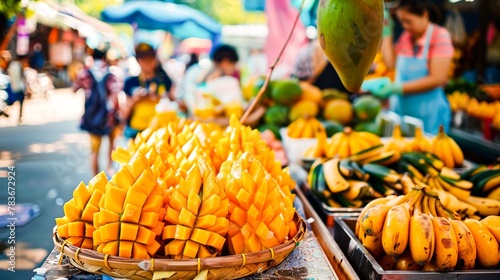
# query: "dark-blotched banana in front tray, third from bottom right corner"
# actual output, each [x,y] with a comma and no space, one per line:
[446,251]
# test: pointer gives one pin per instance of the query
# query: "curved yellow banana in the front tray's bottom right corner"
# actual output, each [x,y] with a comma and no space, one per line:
[486,244]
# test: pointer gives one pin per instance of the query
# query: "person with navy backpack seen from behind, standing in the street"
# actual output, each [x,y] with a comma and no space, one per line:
[101,112]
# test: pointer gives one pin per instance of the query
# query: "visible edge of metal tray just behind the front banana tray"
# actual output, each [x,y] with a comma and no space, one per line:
[325,212]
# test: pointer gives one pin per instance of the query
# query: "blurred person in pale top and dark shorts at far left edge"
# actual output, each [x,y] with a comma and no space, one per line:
[15,71]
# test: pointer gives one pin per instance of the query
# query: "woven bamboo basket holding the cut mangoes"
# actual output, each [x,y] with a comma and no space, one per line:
[224,267]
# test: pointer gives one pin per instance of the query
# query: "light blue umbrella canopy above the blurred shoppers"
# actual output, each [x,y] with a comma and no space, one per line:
[180,20]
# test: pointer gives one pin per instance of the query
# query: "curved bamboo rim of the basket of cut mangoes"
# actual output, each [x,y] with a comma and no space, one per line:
[95,258]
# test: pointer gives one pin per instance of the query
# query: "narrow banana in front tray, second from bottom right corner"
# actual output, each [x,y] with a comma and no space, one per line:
[465,244]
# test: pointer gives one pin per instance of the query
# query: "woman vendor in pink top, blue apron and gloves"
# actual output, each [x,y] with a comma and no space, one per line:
[424,53]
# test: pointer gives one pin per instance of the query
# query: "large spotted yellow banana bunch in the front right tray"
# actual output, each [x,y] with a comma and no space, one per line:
[415,232]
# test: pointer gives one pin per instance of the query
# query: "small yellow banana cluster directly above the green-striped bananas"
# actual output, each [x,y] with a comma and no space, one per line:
[377,154]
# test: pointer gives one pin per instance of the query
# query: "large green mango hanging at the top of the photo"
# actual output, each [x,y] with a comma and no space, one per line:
[350,33]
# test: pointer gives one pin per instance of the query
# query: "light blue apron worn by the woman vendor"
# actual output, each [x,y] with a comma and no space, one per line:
[431,106]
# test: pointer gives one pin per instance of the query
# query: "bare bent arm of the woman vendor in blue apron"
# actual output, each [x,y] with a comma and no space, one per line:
[438,75]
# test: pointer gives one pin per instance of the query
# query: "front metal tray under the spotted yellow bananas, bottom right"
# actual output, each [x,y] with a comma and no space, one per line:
[368,268]
